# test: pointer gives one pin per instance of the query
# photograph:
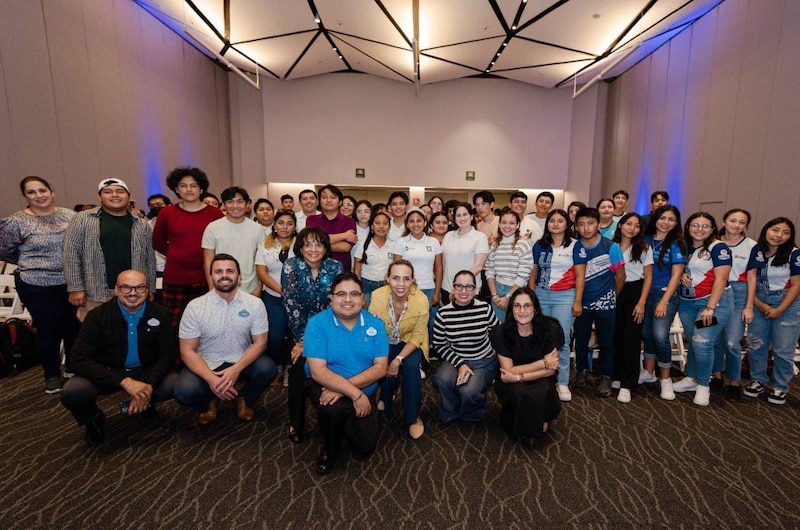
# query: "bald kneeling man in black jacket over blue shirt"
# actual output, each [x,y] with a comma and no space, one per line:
[125,344]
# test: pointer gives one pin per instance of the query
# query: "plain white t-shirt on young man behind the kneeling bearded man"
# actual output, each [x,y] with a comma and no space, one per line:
[240,240]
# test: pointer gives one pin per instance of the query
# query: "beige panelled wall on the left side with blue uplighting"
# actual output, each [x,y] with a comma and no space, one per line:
[95,88]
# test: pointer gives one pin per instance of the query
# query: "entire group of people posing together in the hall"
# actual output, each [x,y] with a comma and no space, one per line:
[351,299]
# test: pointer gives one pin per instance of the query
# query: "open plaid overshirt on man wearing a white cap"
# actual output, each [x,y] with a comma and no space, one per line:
[84,263]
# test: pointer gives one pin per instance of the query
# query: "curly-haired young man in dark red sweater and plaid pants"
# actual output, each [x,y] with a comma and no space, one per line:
[178,235]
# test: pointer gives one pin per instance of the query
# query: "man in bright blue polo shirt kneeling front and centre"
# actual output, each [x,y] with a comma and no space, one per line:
[347,352]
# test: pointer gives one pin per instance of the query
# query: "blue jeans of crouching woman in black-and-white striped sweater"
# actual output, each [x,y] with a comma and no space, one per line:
[466,401]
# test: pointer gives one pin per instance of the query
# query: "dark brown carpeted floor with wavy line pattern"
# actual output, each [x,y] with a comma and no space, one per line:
[647,464]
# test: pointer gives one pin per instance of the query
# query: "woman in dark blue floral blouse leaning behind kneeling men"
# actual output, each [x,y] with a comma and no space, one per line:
[305,288]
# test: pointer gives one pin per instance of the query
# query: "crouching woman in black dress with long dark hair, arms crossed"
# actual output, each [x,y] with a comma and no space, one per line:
[527,346]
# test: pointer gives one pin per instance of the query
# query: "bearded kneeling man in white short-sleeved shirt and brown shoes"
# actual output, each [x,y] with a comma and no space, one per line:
[223,335]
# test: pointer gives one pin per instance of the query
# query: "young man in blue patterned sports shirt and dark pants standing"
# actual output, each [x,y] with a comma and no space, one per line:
[599,278]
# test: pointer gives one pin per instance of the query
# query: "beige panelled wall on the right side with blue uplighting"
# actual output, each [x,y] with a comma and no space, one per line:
[714,115]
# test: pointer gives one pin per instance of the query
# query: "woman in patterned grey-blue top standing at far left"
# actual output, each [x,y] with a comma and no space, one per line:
[33,239]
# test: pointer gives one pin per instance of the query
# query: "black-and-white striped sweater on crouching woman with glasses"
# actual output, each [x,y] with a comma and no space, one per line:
[461,333]
